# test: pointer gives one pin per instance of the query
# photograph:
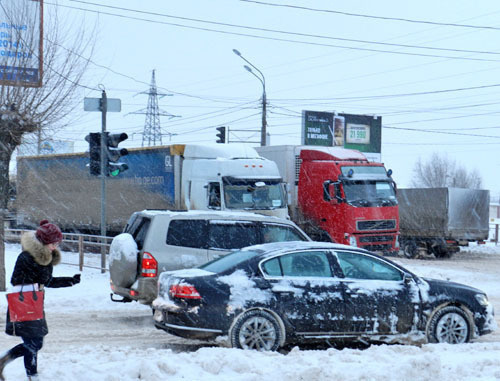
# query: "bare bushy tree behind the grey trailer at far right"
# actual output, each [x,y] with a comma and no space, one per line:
[440,171]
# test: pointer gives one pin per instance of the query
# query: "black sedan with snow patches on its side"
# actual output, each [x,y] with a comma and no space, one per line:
[266,296]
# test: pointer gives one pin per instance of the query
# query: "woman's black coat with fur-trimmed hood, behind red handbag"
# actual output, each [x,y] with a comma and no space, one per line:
[34,265]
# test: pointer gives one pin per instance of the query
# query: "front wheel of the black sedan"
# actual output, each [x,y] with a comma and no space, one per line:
[449,325]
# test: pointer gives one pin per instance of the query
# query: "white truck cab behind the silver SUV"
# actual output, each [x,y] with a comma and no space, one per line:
[232,178]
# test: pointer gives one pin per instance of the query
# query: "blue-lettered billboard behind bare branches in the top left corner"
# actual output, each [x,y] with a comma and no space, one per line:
[21,52]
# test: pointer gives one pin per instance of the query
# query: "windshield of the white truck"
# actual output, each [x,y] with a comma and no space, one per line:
[253,194]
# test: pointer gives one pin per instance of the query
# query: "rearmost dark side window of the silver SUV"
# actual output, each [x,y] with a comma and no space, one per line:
[188,233]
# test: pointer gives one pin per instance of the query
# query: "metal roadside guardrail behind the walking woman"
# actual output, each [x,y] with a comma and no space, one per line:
[76,243]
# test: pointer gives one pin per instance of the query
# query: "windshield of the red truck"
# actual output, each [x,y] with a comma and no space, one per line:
[370,193]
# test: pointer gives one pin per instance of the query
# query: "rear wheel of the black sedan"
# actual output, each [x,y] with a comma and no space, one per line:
[256,330]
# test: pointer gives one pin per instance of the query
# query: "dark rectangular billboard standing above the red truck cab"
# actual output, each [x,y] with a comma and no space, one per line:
[352,131]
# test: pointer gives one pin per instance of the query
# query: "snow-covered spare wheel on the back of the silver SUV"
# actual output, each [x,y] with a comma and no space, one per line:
[123,260]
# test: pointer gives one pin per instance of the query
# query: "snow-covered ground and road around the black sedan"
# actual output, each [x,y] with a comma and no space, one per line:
[92,338]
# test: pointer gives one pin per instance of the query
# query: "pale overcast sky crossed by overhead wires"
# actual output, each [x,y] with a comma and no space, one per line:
[429,68]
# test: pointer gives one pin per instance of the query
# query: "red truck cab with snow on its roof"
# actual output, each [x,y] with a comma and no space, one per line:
[344,197]
